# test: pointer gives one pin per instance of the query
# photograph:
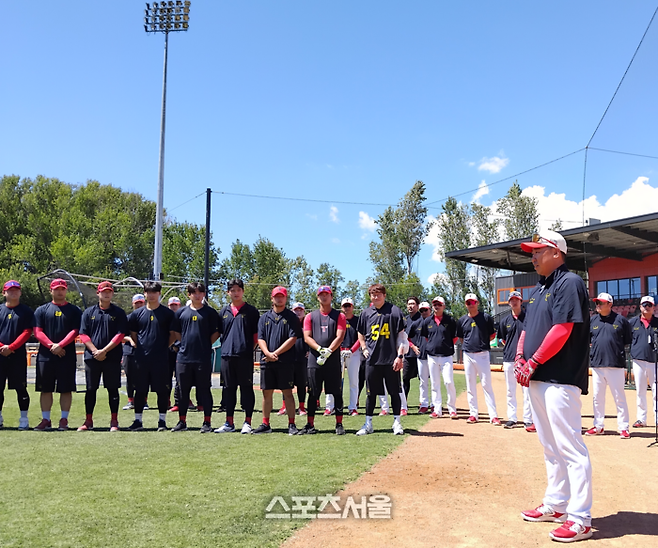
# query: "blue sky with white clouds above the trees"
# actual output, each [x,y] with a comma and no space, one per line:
[343,101]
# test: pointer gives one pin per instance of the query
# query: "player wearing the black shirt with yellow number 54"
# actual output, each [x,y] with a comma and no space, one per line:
[384,343]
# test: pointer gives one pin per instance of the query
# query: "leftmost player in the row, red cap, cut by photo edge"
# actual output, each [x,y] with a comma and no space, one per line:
[16,323]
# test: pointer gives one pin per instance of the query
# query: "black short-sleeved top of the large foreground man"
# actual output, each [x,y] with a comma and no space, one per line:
[560,298]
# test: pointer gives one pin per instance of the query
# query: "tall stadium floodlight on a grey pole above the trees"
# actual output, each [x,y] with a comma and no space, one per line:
[163,17]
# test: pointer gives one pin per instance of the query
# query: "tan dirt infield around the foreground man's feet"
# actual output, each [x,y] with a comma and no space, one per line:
[456,485]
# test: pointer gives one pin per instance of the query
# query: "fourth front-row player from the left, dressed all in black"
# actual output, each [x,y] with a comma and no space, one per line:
[150,327]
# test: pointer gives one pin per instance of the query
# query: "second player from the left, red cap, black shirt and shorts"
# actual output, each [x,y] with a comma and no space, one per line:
[56,361]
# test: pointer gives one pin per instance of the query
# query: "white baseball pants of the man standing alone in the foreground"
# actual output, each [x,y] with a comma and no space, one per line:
[557,413]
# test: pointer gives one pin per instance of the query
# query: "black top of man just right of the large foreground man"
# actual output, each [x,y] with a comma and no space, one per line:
[609,335]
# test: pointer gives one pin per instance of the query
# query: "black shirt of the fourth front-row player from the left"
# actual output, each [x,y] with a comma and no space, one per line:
[153,329]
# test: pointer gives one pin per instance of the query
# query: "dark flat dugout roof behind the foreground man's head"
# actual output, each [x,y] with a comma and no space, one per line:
[632,238]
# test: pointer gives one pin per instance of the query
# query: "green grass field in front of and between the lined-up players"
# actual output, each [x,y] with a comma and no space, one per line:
[138,489]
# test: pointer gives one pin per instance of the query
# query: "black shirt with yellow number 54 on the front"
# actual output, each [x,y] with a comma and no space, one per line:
[380,327]
